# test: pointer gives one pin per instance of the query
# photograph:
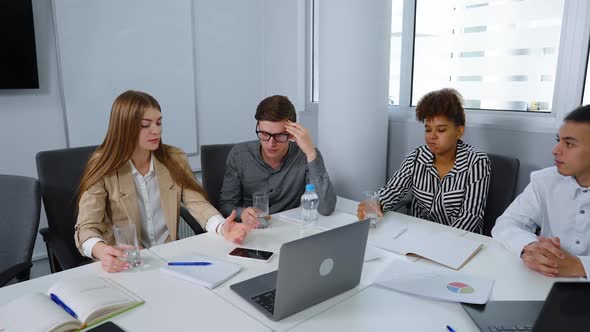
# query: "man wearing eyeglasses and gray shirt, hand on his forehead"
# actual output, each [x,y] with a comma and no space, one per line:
[281,162]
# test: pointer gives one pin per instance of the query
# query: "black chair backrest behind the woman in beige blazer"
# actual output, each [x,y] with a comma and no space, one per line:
[60,172]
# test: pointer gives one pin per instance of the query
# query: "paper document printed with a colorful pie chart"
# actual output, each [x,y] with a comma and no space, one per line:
[435,283]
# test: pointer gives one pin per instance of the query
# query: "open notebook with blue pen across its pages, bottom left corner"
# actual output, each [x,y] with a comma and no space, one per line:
[69,305]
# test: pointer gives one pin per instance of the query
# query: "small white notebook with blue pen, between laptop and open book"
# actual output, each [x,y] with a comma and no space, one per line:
[210,276]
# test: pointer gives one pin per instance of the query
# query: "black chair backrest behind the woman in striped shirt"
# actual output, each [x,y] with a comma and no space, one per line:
[503,178]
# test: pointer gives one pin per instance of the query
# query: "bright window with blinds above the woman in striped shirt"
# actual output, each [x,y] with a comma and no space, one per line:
[500,55]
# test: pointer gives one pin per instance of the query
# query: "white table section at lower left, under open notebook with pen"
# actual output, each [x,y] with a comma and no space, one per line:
[169,305]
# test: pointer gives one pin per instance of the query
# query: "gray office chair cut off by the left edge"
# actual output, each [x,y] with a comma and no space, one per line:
[20,206]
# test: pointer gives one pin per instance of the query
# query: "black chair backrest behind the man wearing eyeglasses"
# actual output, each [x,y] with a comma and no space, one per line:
[213,158]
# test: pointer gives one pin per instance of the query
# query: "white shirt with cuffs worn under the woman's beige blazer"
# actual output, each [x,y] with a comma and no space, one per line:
[154,230]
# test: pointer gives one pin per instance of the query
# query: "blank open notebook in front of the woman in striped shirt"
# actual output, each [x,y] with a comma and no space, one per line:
[442,247]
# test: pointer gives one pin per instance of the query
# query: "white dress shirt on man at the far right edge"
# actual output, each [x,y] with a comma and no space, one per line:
[557,204]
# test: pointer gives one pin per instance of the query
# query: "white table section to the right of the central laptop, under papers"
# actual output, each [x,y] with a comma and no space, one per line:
[380,309]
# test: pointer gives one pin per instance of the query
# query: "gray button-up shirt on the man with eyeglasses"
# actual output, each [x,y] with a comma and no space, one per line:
[247,173]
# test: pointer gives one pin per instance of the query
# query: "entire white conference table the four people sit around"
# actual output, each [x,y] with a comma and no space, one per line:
[174,304]
